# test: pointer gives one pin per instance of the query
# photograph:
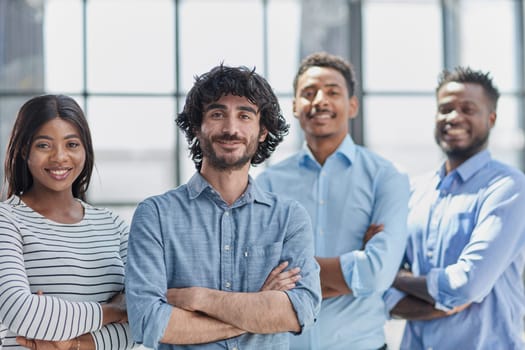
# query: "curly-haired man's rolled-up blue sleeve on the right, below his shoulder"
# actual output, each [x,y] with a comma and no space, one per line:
[298,250]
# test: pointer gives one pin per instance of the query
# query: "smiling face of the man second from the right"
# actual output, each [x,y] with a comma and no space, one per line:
[323,106]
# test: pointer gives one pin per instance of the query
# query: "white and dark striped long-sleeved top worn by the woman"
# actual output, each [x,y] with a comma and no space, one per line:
[76,266]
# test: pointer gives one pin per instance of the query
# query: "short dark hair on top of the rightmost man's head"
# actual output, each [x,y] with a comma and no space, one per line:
[468,75]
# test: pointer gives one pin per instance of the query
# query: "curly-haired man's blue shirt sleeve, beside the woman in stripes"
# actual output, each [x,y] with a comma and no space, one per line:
[146,284]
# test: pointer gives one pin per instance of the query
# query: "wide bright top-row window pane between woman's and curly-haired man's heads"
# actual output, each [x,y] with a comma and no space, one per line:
[130,46]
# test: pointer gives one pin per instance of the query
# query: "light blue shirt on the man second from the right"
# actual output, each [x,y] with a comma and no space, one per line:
[353,189]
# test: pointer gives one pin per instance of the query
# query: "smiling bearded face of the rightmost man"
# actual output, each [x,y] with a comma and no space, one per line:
[463,121]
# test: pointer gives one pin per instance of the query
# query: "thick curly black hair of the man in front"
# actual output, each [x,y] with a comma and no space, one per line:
[239,81]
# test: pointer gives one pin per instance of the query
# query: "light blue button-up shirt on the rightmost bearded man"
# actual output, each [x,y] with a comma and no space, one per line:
[467,235]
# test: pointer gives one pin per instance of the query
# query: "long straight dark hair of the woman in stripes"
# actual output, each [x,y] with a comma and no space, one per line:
[31,117]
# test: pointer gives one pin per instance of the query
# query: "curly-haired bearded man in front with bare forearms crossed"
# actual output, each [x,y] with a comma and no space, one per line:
[199,255]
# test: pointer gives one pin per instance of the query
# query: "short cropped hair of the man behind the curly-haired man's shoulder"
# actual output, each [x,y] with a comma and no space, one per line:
[324,59]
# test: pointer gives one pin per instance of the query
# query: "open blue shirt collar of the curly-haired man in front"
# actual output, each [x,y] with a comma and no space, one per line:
[198,184]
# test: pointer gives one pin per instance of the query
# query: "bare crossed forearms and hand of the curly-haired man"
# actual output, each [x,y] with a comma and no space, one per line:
[202,315]
